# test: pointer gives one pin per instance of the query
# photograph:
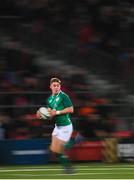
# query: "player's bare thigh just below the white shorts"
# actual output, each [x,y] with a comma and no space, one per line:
[57,145]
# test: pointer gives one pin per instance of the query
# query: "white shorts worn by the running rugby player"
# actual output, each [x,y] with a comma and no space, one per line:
[63,132]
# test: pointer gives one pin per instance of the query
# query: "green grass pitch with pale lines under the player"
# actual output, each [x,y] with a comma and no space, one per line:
[55,171]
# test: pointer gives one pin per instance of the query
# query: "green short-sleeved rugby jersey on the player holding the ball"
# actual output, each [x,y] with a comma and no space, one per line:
[59,102]
